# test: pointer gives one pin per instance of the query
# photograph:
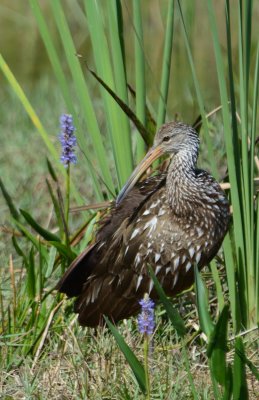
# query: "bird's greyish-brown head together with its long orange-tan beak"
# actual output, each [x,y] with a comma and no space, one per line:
[171,138]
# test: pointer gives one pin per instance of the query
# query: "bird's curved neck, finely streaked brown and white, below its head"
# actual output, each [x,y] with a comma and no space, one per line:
[182,190]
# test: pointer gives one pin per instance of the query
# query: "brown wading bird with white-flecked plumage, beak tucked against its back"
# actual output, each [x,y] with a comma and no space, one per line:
[169,222]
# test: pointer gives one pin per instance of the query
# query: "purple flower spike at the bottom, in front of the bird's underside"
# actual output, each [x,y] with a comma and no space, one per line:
[146,319]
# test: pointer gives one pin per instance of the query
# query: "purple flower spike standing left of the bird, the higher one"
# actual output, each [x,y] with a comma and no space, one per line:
[67,140]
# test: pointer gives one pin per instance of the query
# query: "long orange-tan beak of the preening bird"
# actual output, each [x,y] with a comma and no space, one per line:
[153,154]
